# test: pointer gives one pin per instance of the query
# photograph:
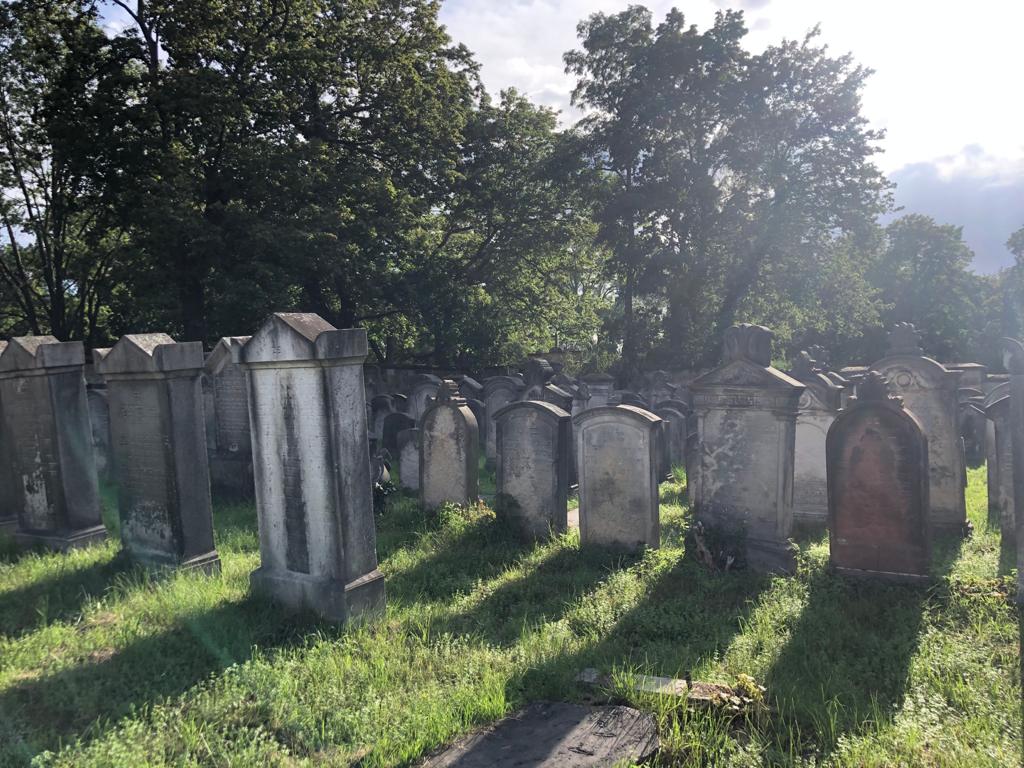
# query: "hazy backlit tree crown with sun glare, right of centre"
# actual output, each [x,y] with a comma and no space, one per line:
[731,173]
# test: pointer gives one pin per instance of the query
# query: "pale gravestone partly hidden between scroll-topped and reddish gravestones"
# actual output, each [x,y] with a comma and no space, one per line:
[818,409]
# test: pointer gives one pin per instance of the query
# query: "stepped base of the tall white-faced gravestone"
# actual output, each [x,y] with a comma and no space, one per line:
[328,599]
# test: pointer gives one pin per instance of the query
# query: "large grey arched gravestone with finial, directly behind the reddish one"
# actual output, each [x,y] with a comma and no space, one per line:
[929,392]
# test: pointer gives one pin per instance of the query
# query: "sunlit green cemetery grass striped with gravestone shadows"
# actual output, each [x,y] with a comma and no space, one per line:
[103,665]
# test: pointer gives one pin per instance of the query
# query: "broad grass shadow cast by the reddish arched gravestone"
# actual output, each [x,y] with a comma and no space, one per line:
[846,663]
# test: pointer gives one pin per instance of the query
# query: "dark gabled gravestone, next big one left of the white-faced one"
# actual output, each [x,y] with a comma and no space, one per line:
[159,441]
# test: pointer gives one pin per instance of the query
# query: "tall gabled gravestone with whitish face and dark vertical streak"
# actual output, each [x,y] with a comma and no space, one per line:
[312,457]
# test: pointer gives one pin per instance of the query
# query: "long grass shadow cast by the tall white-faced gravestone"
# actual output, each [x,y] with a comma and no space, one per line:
[46,712]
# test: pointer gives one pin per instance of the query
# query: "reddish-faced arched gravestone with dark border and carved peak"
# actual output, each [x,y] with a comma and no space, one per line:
[878,487]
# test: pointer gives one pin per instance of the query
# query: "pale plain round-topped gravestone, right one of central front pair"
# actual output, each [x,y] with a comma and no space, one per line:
[618,460]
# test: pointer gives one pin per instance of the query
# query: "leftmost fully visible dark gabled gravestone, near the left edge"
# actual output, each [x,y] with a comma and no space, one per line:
[47,429]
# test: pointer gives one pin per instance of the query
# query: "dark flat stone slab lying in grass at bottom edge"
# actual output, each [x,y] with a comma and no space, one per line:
[557,735]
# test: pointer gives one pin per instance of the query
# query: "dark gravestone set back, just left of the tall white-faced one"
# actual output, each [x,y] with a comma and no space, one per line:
[231,448]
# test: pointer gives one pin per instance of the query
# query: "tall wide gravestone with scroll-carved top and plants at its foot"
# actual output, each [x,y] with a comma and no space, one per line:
[747,429]
